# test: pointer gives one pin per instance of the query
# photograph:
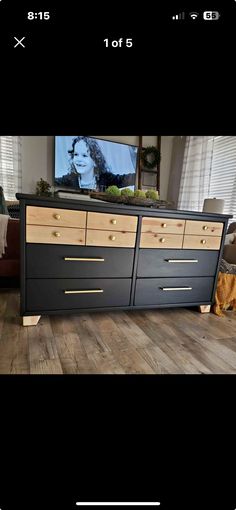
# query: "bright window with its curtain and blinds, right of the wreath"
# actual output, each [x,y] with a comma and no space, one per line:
[209,171]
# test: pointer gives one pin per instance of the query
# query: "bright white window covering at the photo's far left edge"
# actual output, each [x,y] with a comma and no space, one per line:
[10,165]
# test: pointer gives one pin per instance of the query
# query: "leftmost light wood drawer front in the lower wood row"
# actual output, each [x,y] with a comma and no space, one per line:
[53,235]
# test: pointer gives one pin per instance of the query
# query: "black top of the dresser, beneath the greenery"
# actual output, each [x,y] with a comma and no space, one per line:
[100,206]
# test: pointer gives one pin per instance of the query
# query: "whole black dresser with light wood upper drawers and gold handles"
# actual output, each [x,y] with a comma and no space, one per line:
[80,255]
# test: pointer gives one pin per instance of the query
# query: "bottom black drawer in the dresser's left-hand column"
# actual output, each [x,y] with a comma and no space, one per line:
[49,294]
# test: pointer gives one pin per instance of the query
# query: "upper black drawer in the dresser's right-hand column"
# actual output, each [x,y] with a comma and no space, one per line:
[163,263]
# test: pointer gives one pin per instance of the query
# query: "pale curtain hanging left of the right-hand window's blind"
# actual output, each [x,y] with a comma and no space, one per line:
[196,172]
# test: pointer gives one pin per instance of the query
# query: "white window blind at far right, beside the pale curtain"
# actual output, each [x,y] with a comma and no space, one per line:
[223,172]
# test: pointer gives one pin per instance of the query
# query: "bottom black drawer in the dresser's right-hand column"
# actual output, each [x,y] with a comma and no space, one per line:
[155,291]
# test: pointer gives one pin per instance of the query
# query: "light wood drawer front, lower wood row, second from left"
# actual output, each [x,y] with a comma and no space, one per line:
[110,238]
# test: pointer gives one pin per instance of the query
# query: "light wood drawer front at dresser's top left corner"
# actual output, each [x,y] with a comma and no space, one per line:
[57,217]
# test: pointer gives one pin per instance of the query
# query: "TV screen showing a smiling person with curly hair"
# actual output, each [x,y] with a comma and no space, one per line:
[83,162]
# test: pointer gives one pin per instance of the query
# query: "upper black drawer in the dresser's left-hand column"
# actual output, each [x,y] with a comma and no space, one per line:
[48,261]
